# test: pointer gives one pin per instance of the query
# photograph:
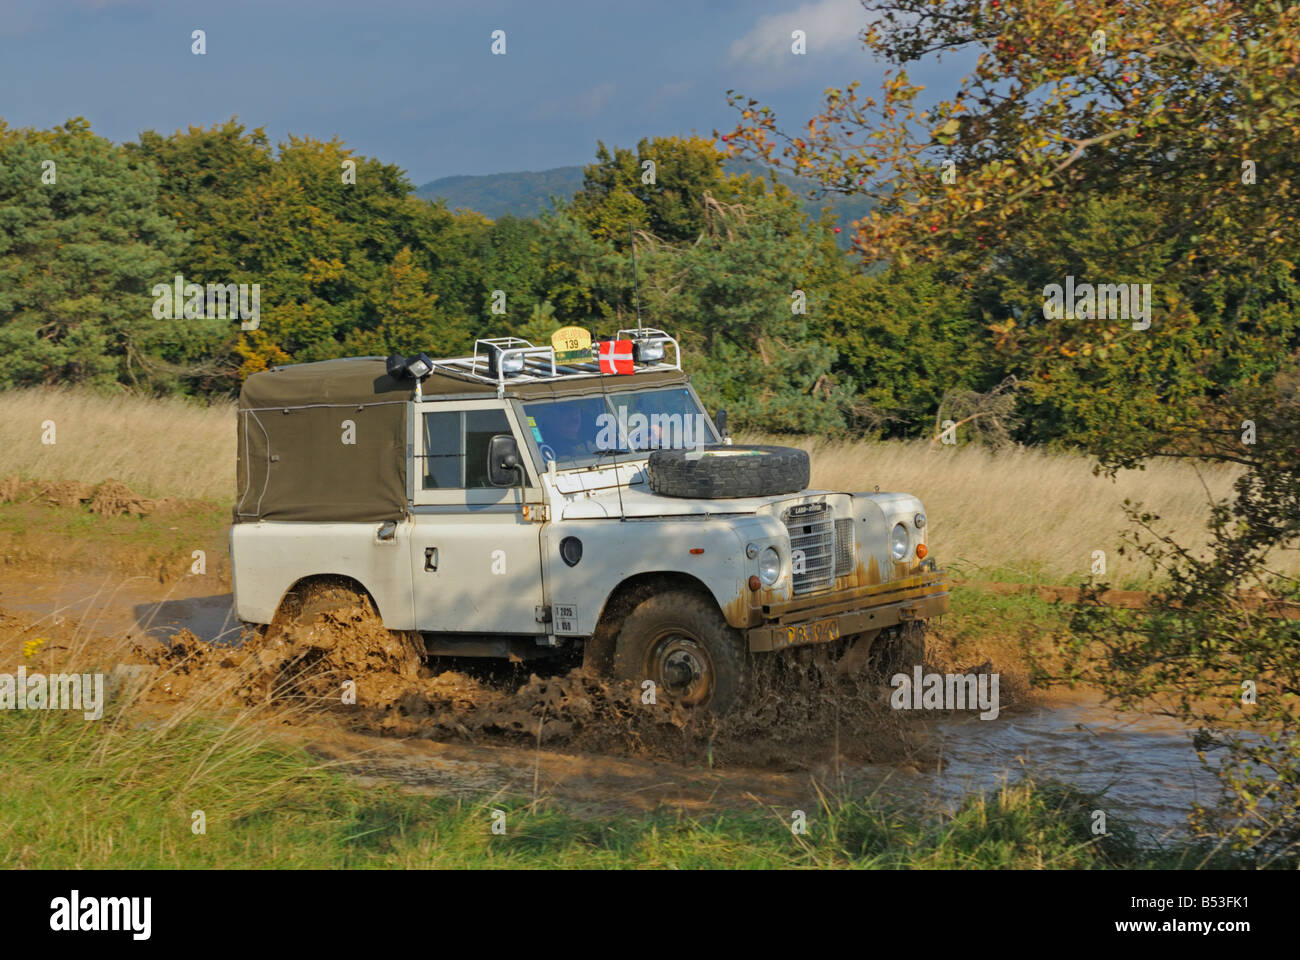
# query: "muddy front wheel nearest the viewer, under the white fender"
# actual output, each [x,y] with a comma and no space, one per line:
[682,642]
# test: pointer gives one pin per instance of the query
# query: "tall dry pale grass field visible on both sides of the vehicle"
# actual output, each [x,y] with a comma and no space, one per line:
[1017,514]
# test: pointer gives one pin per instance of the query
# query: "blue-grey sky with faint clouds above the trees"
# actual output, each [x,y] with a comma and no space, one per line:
[417,85]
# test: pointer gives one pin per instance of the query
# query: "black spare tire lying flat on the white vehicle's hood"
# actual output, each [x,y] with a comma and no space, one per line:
[722,473]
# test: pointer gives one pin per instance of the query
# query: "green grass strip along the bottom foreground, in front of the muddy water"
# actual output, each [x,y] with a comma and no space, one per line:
[122,793]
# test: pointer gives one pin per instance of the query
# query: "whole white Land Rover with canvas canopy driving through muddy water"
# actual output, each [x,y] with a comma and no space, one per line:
[509,505]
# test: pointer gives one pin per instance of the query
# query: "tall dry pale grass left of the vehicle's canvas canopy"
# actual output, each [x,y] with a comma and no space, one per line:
[159,448]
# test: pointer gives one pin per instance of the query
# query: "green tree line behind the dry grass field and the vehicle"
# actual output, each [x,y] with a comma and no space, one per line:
[778,325]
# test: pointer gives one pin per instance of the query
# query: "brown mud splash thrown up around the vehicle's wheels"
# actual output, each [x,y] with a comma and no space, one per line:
[340,661]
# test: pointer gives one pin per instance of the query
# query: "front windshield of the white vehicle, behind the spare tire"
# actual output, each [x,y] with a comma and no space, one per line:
[583,431]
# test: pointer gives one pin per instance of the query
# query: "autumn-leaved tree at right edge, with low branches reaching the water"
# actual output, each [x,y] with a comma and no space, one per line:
[1120,144]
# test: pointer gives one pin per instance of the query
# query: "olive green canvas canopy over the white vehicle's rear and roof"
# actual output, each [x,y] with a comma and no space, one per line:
[327,442]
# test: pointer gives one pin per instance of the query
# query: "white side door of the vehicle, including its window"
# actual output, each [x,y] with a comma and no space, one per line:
[476,561]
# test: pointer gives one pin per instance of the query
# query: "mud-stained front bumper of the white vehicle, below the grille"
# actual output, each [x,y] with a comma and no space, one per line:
[829,617]
